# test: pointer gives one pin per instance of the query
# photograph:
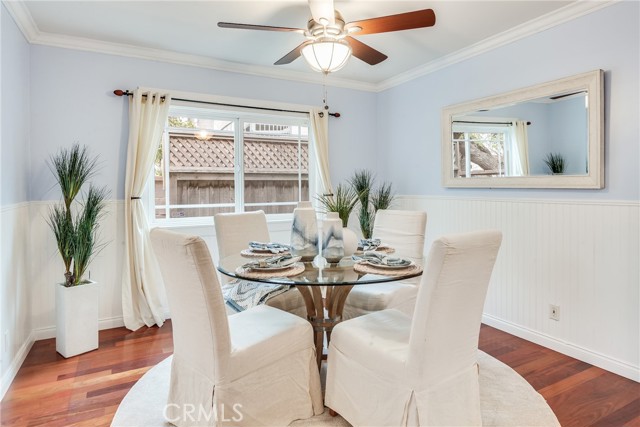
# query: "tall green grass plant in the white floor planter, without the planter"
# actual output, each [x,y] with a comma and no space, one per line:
[76,227]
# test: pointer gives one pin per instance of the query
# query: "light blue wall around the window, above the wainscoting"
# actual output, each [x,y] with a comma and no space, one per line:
[72,100]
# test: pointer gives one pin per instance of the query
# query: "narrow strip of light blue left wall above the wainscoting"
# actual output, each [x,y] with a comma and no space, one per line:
[14,155]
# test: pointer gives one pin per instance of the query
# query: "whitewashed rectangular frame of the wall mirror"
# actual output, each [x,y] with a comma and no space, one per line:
[591,82]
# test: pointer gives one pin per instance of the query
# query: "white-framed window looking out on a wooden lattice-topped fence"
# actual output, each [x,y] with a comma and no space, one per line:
[212,161]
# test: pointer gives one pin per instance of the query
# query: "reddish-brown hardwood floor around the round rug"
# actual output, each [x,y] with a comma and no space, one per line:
[86,390]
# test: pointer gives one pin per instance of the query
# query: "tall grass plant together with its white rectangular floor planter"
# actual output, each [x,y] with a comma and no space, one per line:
[75,227]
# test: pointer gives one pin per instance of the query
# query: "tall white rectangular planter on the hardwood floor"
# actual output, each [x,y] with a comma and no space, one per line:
[76,319]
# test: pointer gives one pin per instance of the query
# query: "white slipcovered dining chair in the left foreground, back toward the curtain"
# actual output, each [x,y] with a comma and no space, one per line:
[254,368]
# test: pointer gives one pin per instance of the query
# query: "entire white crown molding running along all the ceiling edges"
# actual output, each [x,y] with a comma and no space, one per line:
[30,30]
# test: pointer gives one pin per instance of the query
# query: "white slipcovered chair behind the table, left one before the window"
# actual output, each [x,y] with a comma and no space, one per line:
[234,231]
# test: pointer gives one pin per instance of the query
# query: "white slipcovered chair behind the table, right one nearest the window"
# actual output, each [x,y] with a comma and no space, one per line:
[404,231]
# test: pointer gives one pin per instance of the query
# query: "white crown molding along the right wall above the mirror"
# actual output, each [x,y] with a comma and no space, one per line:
[565,14]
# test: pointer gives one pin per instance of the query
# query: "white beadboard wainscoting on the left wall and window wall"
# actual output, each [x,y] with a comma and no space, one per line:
[31,266]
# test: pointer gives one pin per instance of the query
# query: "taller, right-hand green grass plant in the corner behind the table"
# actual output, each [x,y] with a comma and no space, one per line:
[371,200]
